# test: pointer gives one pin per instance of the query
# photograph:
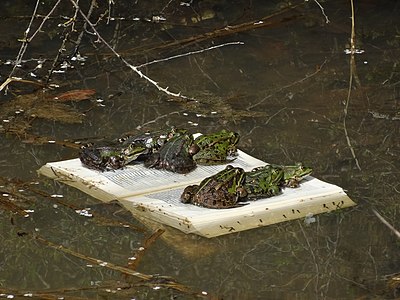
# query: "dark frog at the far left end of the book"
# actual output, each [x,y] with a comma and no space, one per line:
[101,158]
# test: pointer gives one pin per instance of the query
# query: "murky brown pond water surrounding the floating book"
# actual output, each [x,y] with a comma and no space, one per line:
[285,86]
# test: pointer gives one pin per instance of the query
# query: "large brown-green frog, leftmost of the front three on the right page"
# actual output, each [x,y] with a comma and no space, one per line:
[219,191]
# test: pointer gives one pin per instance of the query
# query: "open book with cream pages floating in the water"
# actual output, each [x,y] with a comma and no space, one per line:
[155,194]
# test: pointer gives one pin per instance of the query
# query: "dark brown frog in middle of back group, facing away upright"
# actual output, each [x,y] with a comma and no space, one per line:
[176,155]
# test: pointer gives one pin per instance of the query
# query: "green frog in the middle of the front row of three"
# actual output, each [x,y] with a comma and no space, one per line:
[264,181]
